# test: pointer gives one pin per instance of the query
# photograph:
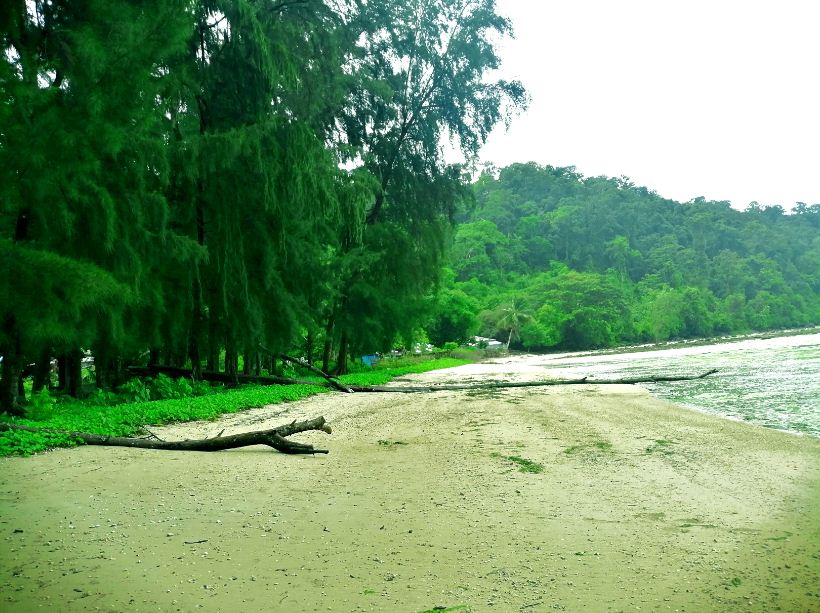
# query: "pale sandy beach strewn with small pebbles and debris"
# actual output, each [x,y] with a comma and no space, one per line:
[641,505]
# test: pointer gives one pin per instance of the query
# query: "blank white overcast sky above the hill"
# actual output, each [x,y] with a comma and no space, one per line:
[713,98]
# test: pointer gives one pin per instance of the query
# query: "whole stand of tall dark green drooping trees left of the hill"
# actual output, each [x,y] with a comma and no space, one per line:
[184,182]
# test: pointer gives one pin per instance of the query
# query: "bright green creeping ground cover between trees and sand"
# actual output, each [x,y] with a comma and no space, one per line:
[127,419]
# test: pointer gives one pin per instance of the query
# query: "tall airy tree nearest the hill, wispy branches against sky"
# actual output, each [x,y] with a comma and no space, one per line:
[422,69]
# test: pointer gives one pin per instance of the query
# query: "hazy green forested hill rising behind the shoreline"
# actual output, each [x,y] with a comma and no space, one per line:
[550,259]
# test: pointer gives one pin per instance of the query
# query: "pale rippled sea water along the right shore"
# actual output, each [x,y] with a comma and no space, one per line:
[773,382]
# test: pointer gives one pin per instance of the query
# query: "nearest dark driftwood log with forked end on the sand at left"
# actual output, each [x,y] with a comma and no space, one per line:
[273,438]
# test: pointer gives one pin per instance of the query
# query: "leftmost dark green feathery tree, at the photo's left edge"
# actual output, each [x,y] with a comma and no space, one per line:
[83,170]
